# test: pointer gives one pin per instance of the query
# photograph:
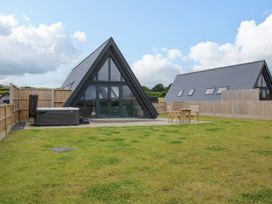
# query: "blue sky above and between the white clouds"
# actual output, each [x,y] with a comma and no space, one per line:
[141,28]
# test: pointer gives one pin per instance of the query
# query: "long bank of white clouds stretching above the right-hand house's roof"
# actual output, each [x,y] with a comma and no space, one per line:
[252,42]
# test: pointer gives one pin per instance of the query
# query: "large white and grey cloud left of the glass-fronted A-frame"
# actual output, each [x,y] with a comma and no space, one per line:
[29,50]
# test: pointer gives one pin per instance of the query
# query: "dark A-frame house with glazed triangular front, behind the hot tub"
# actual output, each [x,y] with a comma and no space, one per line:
[103,85]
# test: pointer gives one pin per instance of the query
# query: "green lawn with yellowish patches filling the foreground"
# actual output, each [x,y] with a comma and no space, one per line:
[227,161]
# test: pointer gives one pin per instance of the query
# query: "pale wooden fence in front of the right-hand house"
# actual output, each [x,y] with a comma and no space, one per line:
[235,104]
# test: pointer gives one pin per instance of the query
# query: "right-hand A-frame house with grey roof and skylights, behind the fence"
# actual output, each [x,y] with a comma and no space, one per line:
[208,85]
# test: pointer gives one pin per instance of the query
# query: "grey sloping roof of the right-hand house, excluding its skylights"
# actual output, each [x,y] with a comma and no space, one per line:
[241,76]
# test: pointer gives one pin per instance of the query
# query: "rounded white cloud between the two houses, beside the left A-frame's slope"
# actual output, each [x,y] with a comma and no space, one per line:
[158,68]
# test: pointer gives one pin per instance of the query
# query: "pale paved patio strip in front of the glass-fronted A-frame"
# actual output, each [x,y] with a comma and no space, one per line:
[119,122]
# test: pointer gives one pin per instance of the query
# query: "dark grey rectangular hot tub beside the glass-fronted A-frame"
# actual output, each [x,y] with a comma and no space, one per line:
[57,116]
